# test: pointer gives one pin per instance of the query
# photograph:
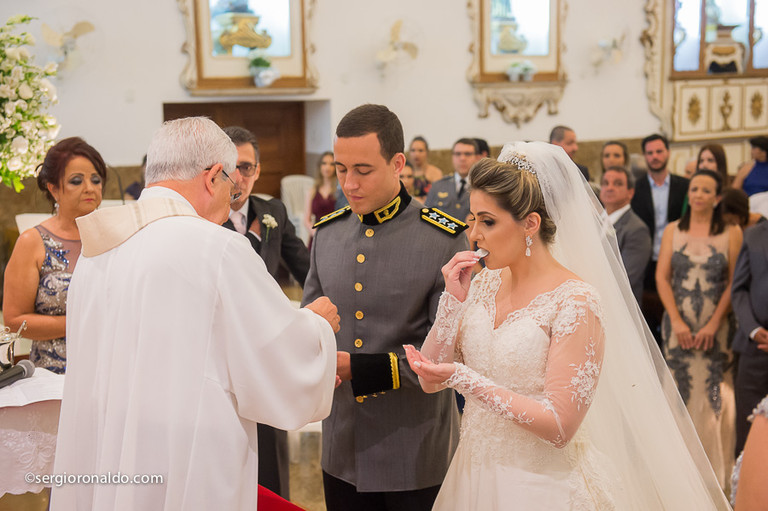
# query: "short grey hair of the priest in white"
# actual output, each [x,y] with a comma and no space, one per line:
[181,149]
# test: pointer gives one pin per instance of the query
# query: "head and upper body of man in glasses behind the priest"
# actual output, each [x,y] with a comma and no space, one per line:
[250,215]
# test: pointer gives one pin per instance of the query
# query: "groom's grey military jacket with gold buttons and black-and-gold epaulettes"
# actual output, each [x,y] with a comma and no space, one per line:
[386,281]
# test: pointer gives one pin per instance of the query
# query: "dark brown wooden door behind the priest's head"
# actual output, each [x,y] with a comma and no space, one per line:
[278,126]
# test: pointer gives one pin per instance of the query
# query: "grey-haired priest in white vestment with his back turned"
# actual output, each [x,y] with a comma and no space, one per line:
[179,342]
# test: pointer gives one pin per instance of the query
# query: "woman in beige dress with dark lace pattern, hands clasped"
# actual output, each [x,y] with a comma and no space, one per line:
[694,274]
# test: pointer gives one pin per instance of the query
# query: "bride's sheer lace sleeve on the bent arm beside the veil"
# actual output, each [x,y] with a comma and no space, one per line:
[573,367]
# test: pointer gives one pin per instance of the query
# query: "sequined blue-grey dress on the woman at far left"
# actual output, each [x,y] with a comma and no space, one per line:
[60,258]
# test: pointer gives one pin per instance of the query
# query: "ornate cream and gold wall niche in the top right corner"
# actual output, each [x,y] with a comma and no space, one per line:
[697,93]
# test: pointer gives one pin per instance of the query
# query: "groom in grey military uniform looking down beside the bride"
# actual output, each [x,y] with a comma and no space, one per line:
[386,445]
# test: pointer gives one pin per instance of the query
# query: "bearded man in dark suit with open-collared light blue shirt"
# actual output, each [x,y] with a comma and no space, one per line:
[658,200]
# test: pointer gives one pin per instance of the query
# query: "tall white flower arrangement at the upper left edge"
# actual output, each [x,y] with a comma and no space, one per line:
[26,130]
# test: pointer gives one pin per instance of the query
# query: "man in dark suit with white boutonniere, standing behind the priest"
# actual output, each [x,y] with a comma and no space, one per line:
[272,235]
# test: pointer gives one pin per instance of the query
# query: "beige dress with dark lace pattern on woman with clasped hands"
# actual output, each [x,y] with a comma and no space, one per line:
[704,378]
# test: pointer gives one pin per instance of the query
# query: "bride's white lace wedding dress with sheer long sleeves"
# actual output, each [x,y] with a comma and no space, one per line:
[529,382]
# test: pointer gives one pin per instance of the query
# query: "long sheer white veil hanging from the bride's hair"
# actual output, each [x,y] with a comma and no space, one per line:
[637,419]
